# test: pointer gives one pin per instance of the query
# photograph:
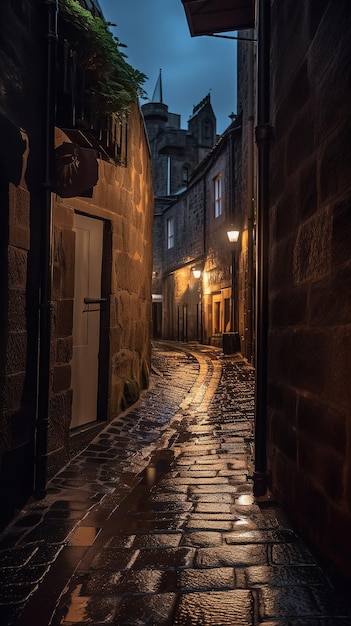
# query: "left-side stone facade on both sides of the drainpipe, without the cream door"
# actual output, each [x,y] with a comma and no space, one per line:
[123,200]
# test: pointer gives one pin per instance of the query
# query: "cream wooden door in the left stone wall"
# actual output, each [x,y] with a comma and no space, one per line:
[86,318]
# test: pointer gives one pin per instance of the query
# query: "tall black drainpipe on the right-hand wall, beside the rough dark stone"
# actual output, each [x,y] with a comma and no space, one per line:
[263,140]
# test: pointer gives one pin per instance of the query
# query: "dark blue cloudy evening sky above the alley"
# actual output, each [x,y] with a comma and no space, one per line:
[157,36]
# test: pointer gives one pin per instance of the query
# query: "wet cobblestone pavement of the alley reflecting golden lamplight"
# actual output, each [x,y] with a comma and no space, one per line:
[154,523]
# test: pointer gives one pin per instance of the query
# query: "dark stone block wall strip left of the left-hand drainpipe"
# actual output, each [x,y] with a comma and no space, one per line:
[20,170]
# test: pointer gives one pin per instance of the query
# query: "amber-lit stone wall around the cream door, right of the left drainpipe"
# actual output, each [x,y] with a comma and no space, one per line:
[123,198]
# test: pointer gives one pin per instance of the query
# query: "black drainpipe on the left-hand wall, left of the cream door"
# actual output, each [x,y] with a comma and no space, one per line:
[45,304]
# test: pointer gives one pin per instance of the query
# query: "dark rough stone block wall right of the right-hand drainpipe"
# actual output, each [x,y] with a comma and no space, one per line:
[310,272]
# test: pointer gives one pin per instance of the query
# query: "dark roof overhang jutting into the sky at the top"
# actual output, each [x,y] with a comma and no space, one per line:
[206,17]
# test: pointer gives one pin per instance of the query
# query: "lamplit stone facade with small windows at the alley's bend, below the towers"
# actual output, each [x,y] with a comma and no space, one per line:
[204,308]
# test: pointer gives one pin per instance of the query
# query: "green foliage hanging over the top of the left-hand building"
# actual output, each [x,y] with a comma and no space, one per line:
[114,84]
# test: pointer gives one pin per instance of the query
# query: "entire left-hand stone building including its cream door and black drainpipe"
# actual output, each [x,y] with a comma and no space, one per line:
[76,257]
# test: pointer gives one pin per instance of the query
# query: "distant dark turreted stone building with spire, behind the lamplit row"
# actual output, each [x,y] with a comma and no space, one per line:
[175,154]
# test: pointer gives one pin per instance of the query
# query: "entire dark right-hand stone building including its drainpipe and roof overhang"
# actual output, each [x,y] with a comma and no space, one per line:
[303,199]
